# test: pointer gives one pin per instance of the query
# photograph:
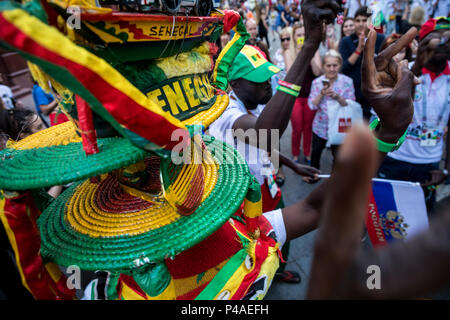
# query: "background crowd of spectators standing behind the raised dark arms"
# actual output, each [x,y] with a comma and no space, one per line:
[340,80]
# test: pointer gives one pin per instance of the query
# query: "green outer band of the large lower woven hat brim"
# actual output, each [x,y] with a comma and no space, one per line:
[63,245]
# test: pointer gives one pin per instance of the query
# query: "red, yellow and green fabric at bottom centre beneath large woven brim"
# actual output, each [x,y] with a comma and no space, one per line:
[204,256]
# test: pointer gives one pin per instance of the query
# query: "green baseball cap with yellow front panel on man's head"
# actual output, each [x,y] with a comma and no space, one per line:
[251,65]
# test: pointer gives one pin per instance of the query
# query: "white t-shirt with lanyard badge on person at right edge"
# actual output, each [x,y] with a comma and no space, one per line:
[437,105]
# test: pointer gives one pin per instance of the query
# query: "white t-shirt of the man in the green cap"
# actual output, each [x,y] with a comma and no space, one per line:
[257,159]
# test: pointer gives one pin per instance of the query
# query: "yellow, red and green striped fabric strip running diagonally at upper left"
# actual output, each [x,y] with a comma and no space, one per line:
[100,85]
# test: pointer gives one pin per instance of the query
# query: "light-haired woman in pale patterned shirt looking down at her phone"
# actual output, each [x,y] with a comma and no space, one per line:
[332,85]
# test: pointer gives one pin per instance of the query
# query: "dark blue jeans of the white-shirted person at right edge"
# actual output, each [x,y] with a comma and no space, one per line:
[400,170]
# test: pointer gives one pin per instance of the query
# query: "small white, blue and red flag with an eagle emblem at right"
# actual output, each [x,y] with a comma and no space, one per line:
[396,211]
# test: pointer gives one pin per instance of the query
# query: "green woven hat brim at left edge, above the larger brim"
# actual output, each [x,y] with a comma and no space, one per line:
[62,164]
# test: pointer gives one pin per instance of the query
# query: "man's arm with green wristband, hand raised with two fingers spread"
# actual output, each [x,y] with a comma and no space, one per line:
[390,104]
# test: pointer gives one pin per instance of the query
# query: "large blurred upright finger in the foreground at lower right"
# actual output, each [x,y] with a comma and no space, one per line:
[339,236]
